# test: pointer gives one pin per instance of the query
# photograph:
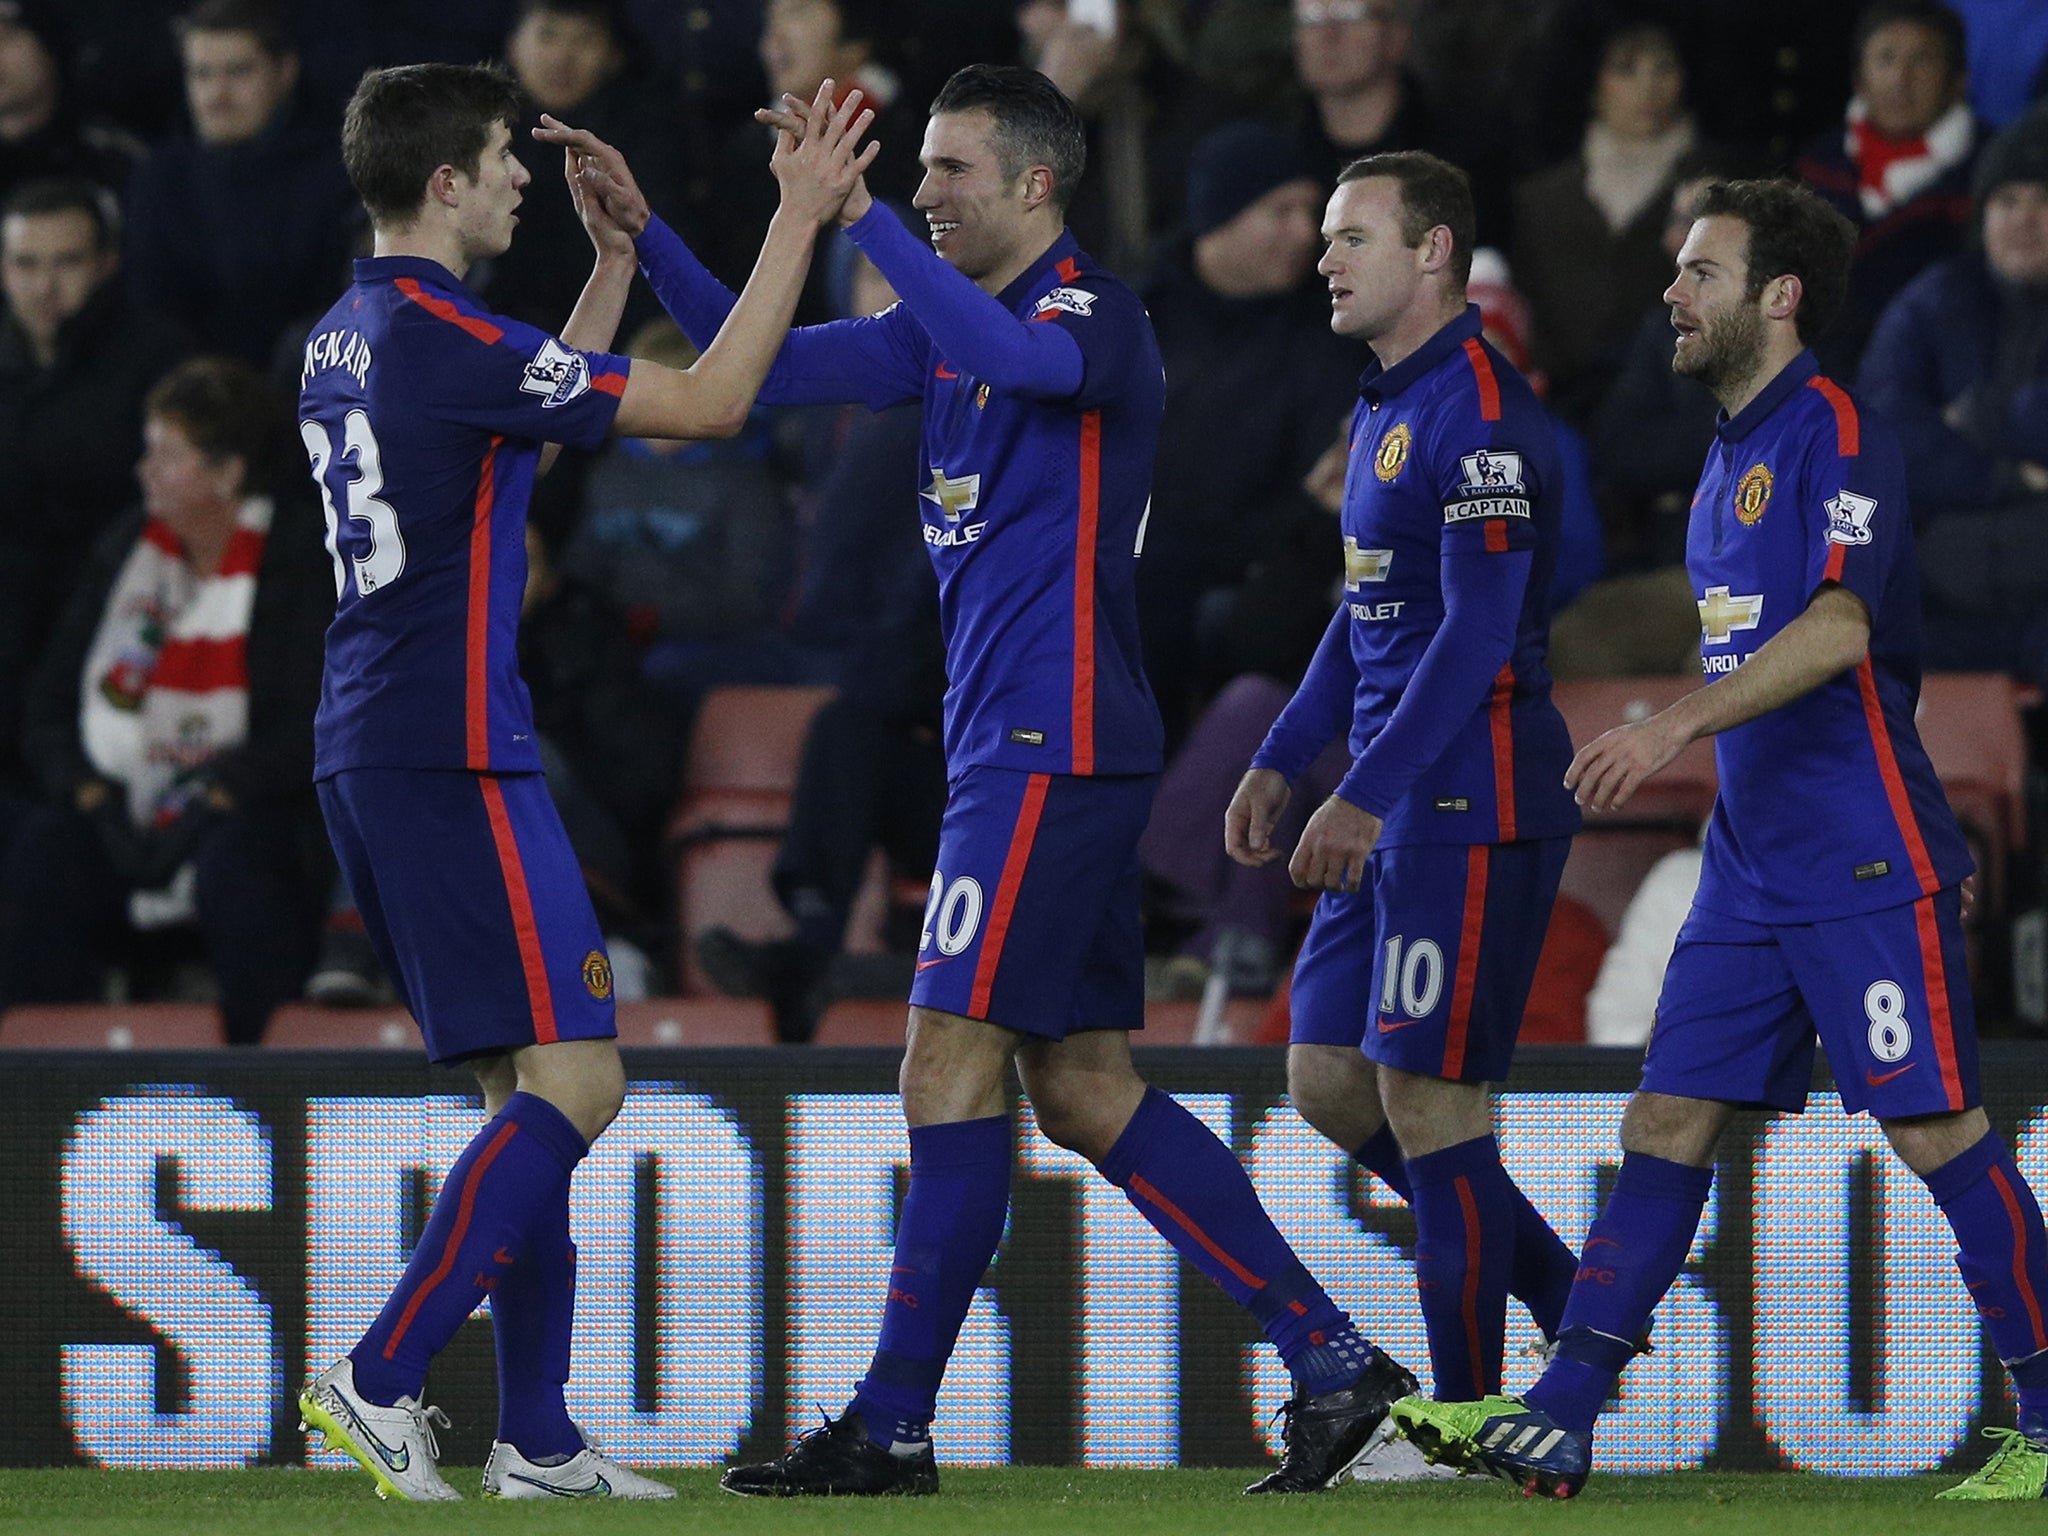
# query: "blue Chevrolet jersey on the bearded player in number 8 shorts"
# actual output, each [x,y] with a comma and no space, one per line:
[1828,806]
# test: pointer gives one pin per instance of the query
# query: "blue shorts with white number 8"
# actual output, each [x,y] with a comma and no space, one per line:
[1885,992]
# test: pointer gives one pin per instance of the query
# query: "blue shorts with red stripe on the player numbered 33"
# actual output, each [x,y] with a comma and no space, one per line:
[476,904]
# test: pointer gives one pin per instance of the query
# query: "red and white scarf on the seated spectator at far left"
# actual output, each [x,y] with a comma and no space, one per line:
[167,681]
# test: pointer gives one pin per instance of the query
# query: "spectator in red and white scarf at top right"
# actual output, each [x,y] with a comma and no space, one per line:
[1900,167]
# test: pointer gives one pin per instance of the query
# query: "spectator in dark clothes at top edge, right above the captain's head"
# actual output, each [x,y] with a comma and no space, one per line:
[1353,65]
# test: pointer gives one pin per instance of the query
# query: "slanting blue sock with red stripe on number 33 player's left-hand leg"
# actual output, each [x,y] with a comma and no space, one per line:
[480,1222]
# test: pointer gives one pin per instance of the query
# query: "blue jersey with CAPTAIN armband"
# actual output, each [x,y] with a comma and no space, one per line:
[1453,456]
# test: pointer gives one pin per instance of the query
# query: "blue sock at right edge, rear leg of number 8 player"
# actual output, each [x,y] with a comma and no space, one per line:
[2004,1258]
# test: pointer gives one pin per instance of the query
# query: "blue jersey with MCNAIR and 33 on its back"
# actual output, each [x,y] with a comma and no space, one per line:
[425,417]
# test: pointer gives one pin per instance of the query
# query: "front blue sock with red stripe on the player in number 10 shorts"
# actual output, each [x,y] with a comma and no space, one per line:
[1465,1236]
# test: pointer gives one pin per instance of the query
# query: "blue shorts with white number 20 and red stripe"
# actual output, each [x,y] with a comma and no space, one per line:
[1033,919]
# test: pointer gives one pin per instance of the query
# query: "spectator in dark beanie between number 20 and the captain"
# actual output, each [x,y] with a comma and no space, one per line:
[1256,384]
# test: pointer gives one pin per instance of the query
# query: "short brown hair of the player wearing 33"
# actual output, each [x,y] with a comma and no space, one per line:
[409,122]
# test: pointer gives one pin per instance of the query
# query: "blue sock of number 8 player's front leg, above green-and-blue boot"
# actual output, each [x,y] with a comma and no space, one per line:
[1631,1258]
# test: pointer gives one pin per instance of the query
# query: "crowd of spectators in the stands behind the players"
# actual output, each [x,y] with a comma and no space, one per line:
[173,214]
